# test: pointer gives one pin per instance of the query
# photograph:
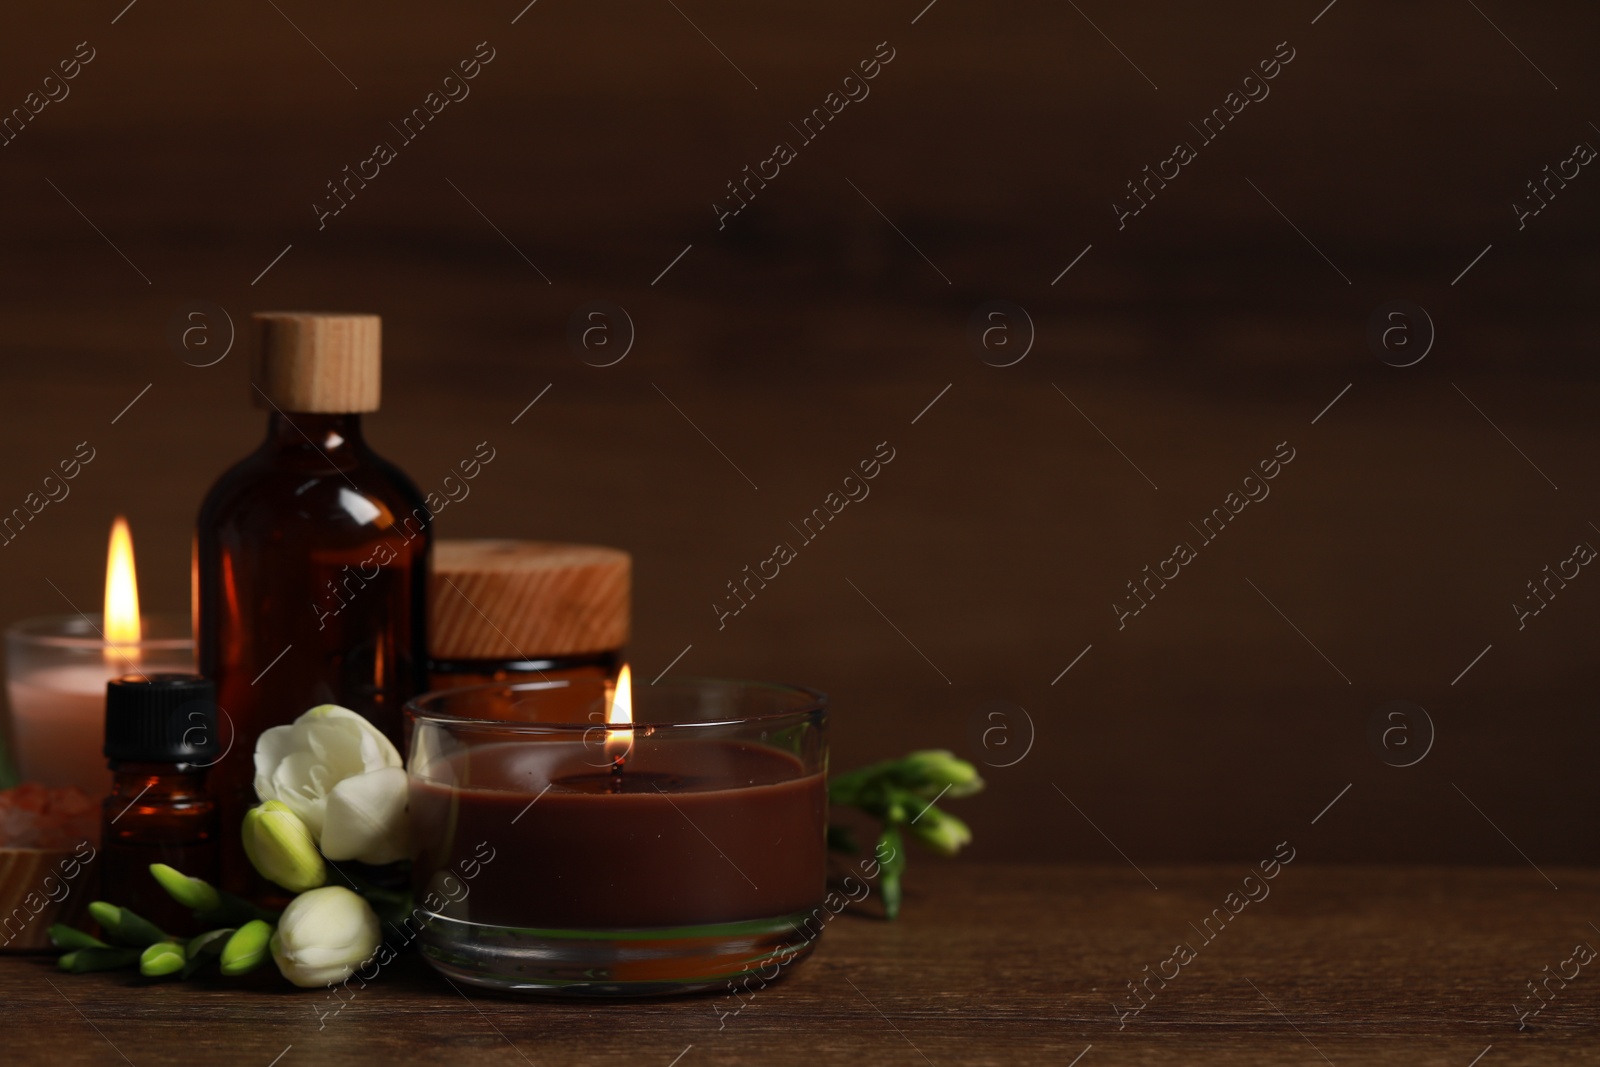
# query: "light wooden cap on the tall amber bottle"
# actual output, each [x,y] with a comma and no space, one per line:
[319,362]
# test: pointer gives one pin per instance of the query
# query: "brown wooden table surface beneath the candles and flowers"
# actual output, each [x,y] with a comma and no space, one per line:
[988,965]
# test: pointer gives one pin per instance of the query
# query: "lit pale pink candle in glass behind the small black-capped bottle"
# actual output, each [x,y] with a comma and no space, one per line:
[58,668]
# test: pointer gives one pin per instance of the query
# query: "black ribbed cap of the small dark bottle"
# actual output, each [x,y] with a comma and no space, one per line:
[161,719]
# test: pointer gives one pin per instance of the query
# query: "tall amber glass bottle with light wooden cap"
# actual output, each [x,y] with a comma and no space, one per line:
[311,557]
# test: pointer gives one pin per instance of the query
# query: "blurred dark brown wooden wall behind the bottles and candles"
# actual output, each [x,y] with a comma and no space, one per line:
[812,329]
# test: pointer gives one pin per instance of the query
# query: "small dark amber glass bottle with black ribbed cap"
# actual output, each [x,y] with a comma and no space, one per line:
[161,737]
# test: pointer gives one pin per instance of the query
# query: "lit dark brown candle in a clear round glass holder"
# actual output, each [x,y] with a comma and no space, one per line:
[658,850]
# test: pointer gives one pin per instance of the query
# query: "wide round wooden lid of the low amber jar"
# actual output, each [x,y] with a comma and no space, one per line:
[527,599]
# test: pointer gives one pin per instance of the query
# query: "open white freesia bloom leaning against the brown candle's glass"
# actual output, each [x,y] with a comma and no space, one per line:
[343,778]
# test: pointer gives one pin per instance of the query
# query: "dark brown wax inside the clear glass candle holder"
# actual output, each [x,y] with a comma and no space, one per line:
[690,833]
